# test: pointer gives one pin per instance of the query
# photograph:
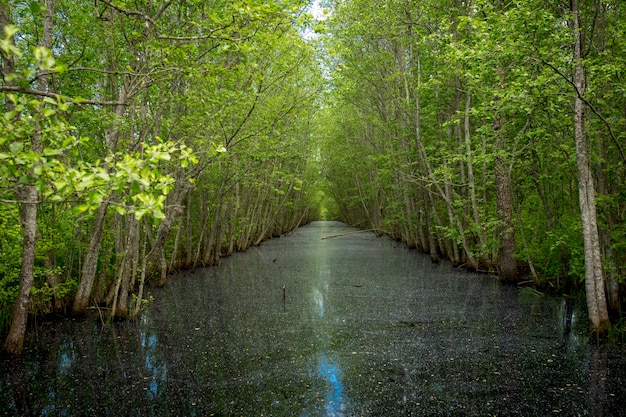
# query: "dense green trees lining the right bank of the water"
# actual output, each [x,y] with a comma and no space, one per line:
[470,129]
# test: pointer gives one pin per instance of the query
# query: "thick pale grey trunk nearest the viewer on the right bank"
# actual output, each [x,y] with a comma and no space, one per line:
[594,281]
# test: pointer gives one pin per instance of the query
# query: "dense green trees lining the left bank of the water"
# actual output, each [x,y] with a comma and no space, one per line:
[140,137]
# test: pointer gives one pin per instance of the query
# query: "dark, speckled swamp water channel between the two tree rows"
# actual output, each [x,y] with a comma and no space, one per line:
[366,328]
